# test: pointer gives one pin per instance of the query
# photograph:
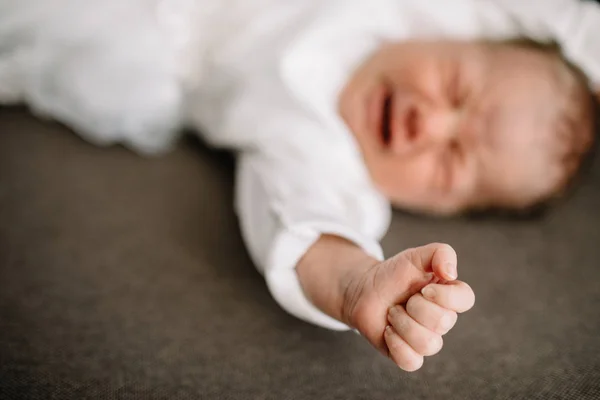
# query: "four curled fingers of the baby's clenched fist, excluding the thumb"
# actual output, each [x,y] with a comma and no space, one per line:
[416,329]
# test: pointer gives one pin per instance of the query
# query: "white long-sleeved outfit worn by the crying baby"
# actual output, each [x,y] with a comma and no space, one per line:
[260,77]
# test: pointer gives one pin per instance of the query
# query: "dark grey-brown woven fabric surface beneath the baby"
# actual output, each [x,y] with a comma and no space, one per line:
[126,278]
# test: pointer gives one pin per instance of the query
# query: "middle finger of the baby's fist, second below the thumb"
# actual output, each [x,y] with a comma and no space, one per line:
[432,316]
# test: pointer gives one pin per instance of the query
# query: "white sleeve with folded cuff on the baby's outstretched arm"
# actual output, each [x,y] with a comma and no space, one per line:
[283,210]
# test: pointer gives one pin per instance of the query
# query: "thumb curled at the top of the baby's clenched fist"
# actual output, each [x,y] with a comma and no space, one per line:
[439,258]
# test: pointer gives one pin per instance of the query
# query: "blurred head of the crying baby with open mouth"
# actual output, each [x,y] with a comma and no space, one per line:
[446,127]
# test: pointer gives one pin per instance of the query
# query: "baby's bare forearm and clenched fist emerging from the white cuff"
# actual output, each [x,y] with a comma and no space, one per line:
[402,306]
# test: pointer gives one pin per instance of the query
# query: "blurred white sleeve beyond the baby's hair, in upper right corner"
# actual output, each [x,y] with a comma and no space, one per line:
[574,24]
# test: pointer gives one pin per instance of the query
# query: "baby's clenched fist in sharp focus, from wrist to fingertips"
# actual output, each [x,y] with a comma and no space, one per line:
[405,304]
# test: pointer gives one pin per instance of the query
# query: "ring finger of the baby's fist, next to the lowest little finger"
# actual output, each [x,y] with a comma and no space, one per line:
[422,340]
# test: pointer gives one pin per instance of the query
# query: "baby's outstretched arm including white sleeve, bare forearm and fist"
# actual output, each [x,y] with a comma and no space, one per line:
[322,263]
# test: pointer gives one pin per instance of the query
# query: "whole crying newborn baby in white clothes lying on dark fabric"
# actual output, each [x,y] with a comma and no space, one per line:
[335,109]
